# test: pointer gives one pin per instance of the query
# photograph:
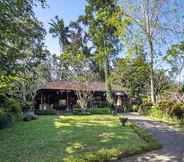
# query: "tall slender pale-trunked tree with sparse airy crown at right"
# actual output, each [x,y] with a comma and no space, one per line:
[151,25]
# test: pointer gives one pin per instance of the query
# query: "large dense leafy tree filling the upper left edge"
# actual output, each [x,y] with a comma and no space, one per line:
[21,40]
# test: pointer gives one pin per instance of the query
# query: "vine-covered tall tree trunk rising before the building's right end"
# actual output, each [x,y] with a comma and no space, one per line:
[108,82]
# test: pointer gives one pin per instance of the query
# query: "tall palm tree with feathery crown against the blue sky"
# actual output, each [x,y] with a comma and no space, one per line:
[59,30]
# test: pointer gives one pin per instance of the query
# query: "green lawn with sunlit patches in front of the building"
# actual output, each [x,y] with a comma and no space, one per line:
[71,139]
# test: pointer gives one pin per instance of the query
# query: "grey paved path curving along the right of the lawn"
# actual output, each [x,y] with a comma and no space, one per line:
[172,142]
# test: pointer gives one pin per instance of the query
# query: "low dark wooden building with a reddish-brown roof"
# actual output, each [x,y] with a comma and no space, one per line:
[61,95]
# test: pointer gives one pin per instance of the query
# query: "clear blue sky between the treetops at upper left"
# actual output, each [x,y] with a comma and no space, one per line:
[67,9]
